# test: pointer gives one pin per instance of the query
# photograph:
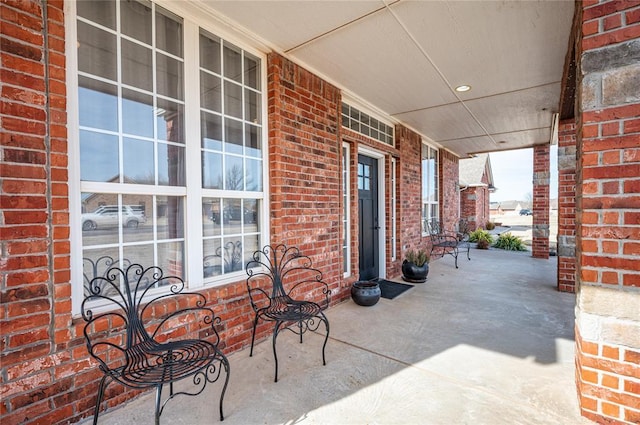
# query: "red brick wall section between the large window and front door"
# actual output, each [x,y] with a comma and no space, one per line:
[305,187]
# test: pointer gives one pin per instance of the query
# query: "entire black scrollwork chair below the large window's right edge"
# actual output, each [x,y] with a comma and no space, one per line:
[284,288]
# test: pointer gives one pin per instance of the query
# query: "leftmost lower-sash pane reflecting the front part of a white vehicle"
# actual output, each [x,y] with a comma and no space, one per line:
[99,219]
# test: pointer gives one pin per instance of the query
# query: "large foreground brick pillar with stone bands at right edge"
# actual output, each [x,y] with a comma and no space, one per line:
[608,205]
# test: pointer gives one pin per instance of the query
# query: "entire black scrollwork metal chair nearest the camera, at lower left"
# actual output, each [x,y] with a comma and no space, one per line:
[139,333]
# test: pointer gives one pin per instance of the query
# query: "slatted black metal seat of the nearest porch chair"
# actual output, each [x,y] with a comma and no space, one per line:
[153,363]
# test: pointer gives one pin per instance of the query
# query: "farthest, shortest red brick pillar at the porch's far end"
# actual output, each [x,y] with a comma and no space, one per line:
[541,175]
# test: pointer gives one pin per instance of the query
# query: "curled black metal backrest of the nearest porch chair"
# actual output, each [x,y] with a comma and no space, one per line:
[129,313]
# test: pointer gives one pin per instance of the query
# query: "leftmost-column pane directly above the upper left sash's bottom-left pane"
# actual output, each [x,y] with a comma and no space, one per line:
[98,104]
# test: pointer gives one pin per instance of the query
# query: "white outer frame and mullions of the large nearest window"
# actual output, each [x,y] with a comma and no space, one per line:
[193,19]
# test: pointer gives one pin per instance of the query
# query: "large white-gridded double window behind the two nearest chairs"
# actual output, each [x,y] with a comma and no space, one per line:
[168,164]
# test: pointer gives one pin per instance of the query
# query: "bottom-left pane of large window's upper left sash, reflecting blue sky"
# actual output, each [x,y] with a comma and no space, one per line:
[98,157]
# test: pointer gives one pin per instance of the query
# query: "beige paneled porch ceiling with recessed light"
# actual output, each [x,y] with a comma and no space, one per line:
[406,58]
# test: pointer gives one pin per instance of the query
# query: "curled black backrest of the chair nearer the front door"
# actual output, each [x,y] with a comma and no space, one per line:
[289,273]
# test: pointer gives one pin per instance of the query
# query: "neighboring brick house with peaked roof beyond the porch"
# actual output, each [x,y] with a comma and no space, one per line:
[476,184]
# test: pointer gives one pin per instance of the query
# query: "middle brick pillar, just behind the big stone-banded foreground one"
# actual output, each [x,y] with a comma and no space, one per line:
[567,206]
